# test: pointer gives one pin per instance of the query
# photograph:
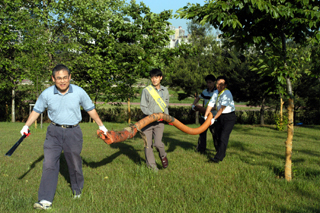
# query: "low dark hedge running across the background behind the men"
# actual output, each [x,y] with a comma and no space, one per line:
[182,113]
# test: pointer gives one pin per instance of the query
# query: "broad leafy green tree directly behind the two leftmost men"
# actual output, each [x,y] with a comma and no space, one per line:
[117,44]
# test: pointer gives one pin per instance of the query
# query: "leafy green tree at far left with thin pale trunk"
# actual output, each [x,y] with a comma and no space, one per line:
[32,42]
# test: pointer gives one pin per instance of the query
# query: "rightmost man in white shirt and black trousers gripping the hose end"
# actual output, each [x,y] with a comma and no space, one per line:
[222,99]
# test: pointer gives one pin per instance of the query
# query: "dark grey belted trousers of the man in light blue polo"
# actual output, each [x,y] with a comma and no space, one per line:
[58,139]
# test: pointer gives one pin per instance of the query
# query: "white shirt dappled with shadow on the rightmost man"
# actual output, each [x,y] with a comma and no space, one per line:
[225,99]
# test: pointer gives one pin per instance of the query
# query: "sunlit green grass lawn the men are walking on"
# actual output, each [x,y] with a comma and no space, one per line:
[117,180]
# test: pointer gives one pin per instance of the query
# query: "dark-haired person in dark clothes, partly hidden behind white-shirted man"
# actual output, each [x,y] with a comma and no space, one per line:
[206,95]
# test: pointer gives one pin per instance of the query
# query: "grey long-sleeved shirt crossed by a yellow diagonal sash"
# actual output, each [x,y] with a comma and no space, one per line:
[149,106]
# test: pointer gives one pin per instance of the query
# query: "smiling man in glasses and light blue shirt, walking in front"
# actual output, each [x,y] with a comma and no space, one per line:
[63,101]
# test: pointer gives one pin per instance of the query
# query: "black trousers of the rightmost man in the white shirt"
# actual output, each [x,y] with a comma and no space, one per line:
[223,128]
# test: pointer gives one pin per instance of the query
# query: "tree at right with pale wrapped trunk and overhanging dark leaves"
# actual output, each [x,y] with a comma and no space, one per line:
[260,24]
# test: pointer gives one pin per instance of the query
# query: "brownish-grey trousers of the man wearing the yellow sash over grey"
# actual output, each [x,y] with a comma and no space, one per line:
[154,130]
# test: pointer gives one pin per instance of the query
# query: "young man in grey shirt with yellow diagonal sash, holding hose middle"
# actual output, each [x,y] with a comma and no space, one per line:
[155,99]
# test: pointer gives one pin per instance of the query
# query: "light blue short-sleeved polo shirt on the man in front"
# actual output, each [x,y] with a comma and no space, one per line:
[64,109]
